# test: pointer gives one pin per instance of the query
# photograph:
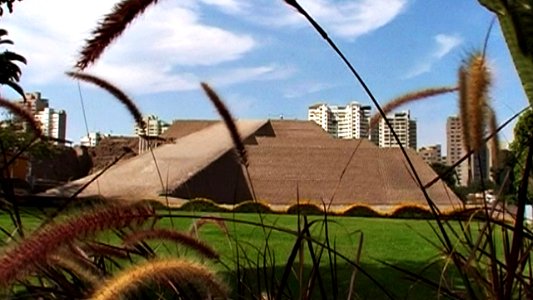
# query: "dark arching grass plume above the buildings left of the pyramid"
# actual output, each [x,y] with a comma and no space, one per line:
[113,90]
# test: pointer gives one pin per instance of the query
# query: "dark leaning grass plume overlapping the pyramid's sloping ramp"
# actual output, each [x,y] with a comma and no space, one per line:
[228,120]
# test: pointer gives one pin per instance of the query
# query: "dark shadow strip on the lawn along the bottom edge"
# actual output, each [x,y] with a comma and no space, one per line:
[262,282]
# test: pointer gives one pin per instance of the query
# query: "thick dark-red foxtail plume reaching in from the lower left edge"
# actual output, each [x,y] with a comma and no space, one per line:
[36,249]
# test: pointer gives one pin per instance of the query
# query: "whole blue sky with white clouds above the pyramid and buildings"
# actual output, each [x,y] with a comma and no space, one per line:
[261,57]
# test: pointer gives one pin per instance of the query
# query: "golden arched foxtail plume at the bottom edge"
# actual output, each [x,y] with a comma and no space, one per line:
[182,274]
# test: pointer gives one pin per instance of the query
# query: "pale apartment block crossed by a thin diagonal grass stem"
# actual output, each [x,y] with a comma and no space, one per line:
[404,127]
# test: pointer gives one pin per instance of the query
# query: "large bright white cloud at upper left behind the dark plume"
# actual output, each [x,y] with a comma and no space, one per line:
[167,36]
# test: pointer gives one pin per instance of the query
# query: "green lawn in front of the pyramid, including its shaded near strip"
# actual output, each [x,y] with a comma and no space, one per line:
[396,241]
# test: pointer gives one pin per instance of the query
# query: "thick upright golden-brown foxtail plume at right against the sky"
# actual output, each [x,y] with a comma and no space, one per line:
[478,82]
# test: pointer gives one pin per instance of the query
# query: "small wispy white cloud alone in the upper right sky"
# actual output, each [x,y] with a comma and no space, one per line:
[444,45]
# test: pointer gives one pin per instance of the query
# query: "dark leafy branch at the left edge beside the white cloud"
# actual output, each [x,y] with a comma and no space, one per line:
[9,70]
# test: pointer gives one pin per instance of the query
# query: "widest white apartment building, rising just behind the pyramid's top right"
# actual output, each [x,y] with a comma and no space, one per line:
[344,122]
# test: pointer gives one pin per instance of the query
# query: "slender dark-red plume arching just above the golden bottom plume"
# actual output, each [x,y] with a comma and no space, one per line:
[172,235]
